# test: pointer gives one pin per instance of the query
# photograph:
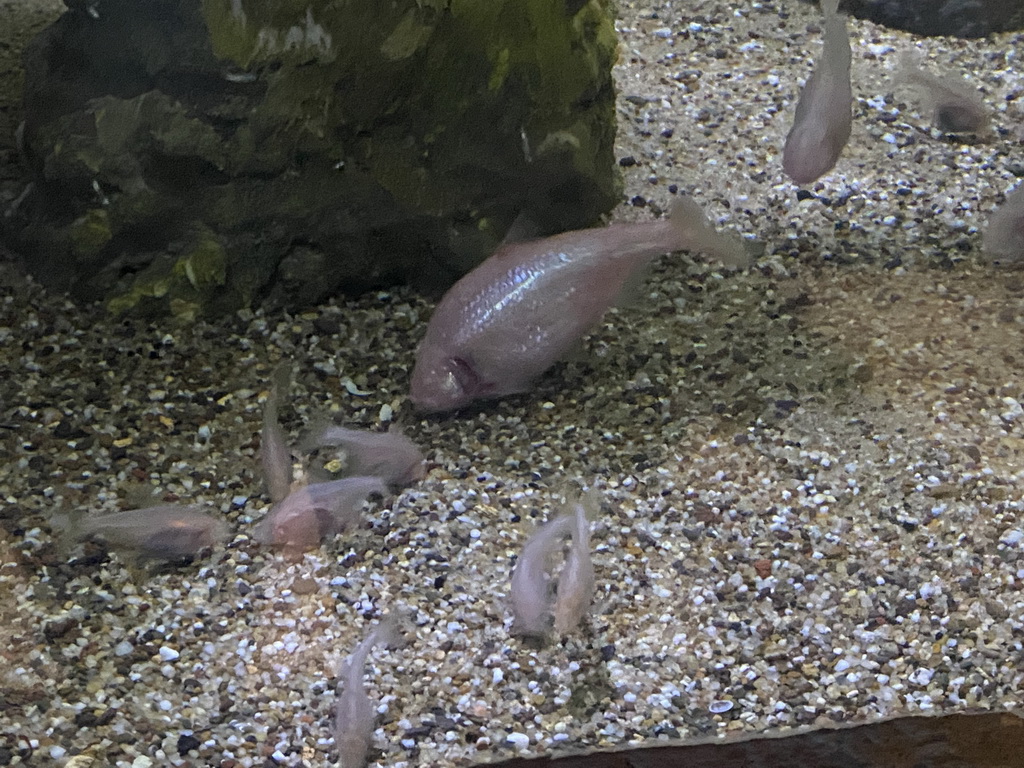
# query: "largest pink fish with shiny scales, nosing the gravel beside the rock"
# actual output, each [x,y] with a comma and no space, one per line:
[522,311]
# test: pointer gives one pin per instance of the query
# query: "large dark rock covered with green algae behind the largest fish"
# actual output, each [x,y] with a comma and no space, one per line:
[198,156]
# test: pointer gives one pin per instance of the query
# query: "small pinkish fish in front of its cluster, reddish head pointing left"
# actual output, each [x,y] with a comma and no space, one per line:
[311,514]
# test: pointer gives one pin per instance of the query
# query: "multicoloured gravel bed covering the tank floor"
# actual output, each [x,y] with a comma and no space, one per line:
[814,471]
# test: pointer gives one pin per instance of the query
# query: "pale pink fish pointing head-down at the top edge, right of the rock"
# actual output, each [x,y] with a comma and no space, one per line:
[822,126]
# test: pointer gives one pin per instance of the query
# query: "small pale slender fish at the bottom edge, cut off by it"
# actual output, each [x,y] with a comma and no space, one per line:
[354,713]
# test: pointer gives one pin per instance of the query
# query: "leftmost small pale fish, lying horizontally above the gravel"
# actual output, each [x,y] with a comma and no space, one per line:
[167,532]
